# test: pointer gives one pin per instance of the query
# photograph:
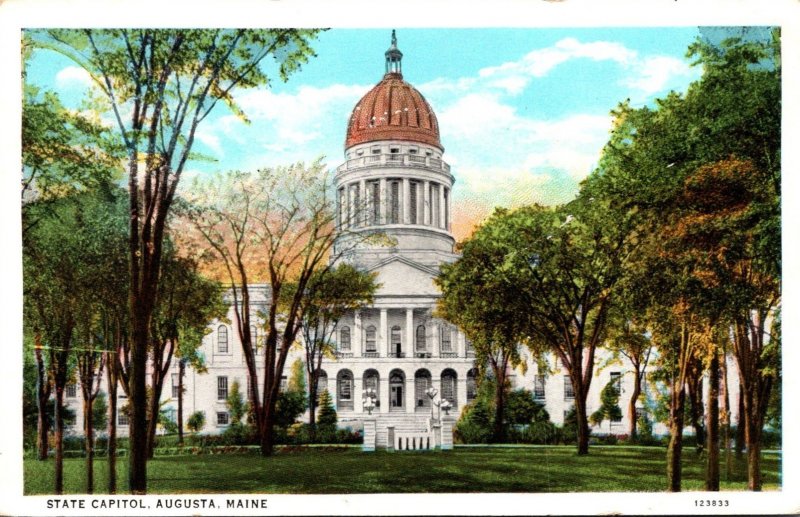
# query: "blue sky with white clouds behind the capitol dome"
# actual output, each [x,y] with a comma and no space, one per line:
[523,113]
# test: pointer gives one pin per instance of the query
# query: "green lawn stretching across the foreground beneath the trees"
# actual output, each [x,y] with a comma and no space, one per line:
[489,469]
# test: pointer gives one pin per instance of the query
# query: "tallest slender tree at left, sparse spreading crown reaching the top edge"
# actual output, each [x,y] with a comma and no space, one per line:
[159,86]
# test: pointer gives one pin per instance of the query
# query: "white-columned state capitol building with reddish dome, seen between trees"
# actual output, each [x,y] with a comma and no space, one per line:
[394,180]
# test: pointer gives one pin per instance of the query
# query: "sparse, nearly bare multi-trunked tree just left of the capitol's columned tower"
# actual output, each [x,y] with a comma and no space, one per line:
[277,225]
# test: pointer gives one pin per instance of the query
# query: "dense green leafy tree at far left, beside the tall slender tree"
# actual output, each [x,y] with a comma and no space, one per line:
[62,255]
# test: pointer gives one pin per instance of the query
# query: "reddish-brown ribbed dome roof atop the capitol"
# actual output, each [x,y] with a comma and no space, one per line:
[393,110]
